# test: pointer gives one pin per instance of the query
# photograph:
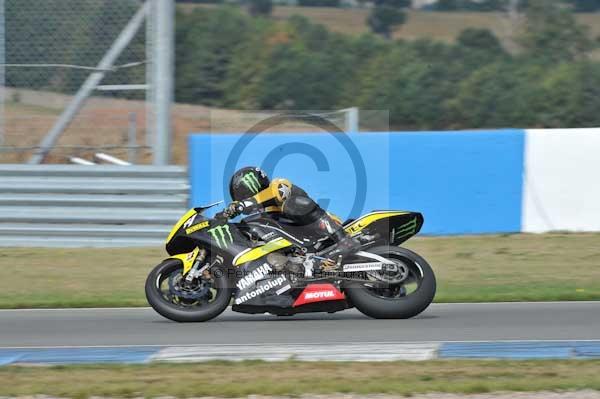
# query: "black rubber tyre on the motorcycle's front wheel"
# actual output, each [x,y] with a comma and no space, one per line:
[184,311]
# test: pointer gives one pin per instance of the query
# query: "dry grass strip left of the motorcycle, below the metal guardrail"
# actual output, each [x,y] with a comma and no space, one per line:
[75,277]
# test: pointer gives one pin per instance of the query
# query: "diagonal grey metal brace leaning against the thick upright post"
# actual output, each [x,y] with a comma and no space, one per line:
[90,84]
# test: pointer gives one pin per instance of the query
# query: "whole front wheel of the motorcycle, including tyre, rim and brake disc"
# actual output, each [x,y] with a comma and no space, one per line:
[171,296]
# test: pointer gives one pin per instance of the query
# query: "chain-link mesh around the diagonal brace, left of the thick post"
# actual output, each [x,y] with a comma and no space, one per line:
[48,50]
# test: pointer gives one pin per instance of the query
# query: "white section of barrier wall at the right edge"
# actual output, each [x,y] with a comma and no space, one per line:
[561,182]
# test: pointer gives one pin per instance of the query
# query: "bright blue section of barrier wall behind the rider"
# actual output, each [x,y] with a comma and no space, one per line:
[463,182]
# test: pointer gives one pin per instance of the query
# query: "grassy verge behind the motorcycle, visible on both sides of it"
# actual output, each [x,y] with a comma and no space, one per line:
[469,269]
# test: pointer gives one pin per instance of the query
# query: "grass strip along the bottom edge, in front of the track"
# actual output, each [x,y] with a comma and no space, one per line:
[224,379]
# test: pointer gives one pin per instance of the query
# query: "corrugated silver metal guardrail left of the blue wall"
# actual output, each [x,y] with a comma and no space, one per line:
[89,206]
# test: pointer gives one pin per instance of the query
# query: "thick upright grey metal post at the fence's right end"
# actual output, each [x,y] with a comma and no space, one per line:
[164,21]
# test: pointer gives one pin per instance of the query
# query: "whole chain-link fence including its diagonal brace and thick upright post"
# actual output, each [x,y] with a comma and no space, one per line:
[77,75]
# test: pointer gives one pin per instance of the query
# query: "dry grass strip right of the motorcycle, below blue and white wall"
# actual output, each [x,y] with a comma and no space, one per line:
[520,267]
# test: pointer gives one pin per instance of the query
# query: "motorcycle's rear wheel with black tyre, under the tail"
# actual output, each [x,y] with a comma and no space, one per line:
[397,299]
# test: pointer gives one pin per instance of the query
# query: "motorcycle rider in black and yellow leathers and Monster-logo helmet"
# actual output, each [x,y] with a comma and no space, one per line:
[252,191]
